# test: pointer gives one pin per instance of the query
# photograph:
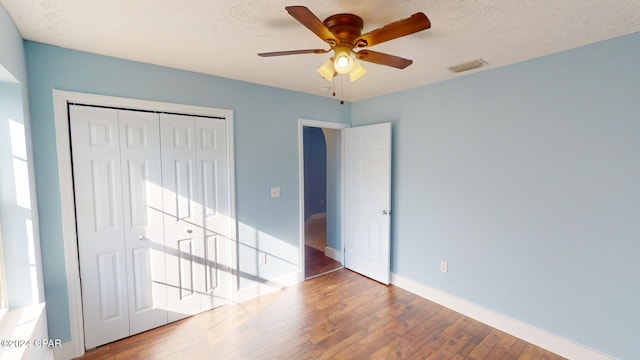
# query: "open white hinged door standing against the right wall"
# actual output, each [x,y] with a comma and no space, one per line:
[367,196]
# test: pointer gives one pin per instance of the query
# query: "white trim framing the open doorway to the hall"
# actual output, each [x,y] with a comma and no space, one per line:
[320,124]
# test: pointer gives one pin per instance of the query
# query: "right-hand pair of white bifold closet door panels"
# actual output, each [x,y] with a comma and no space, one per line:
[197,228]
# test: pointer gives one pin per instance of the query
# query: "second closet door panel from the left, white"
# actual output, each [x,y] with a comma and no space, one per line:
[143,219]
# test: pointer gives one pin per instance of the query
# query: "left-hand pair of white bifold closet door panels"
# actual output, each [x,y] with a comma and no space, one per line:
[118,186]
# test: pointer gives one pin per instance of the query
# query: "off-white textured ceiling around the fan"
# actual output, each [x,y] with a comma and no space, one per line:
[222,38]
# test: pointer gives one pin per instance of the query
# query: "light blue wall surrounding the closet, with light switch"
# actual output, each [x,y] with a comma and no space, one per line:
[266,149]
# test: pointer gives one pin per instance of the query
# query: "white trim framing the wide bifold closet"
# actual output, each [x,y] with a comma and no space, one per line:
[75,347]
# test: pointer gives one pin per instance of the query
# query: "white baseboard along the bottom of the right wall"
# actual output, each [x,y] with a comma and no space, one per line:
[526,332]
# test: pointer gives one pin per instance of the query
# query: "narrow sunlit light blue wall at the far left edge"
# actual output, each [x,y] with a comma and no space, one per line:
[19,220]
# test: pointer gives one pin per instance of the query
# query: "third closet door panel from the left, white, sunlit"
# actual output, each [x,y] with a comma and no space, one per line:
[182,204]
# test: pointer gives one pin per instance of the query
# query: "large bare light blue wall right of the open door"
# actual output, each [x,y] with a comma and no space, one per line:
[526,179]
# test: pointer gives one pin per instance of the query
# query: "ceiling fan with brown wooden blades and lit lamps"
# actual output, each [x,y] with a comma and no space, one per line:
[343,33]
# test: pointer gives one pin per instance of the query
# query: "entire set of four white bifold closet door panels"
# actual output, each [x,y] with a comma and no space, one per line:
[152,218]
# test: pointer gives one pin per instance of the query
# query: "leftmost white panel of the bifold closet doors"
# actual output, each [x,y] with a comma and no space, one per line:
[102,254]
